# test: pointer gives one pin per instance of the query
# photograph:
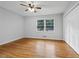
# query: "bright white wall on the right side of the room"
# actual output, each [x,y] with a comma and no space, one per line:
[71,28]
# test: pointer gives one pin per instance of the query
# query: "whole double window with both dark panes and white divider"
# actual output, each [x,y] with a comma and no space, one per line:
[45,25]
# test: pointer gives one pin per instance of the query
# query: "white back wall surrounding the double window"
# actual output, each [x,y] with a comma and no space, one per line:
[31,27]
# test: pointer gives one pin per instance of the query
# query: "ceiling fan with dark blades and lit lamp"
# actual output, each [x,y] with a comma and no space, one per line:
[31,6]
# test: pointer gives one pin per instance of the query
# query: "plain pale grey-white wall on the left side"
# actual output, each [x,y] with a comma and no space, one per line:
[11,26]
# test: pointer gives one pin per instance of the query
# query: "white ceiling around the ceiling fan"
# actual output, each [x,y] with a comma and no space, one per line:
[48,7]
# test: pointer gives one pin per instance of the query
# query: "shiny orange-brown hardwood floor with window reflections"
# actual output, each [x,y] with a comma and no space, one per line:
[37,48]
